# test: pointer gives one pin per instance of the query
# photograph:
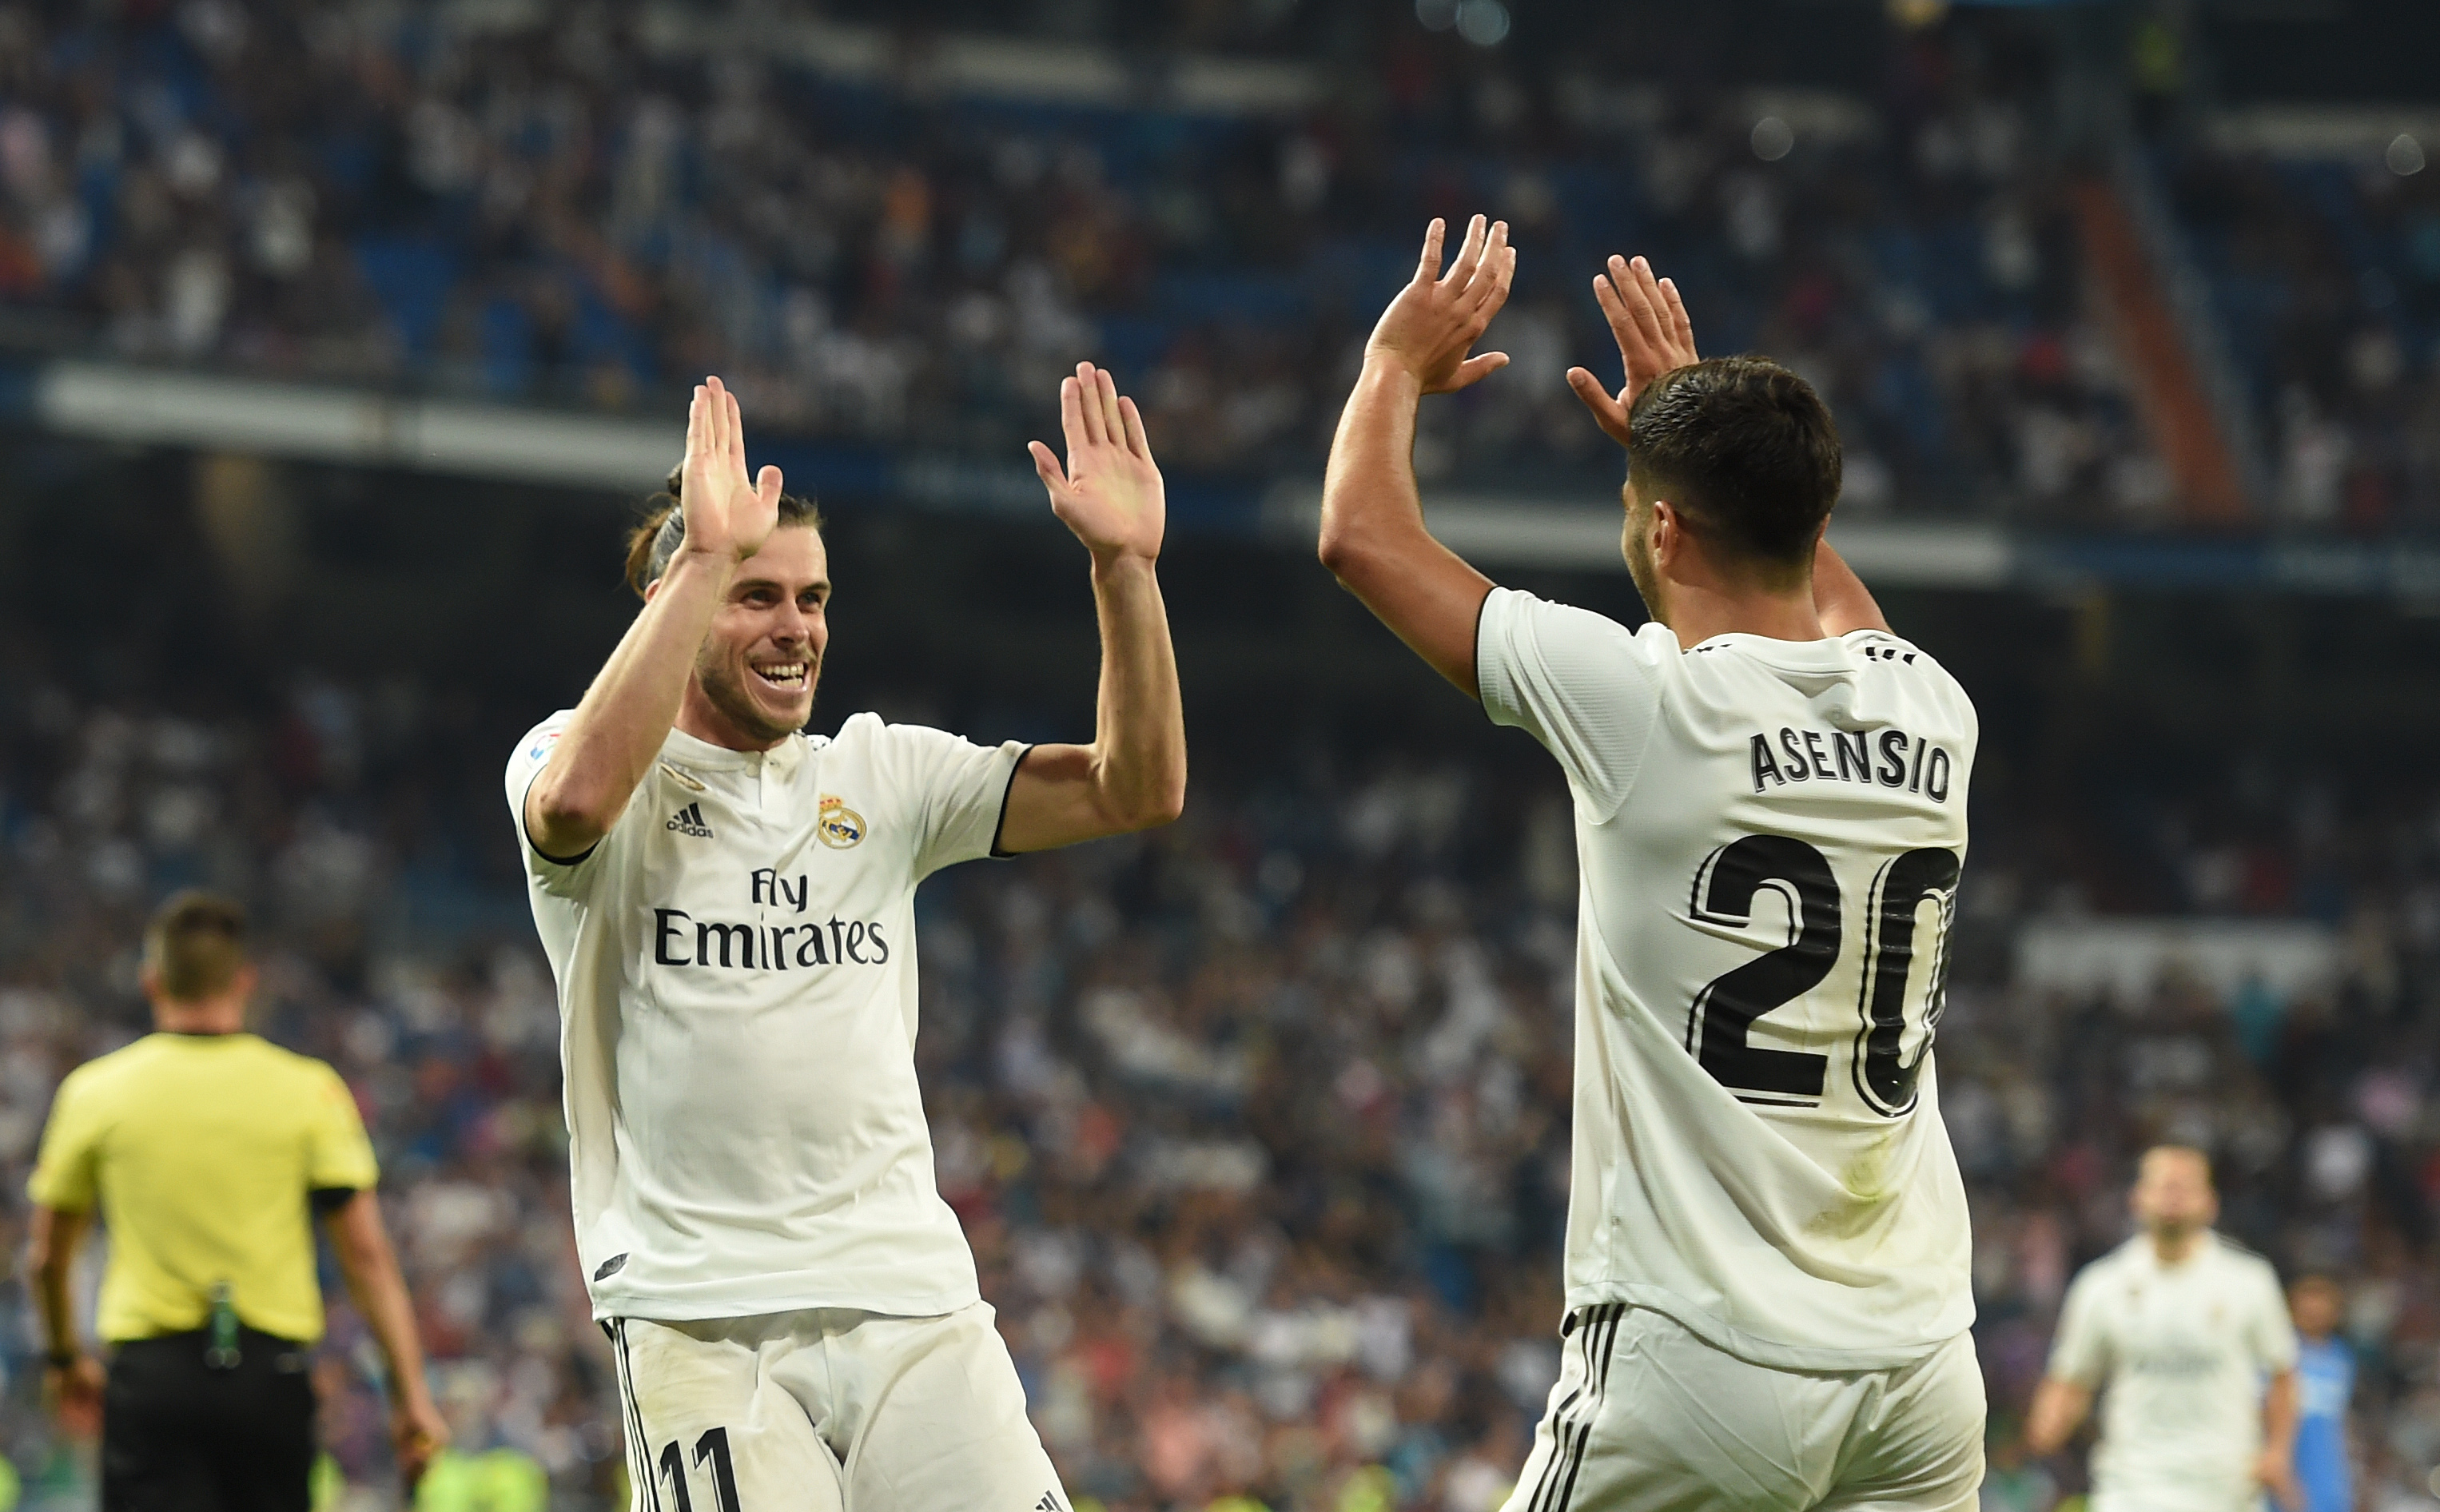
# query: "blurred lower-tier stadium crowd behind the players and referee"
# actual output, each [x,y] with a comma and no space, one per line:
[1258,1125]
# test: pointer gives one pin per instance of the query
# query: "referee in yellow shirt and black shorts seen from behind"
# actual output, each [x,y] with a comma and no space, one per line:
[209,1152]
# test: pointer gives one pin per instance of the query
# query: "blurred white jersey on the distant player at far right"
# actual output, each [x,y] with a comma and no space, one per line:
[2180,1357]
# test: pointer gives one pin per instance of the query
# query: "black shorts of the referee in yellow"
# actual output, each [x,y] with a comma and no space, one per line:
[182,1438]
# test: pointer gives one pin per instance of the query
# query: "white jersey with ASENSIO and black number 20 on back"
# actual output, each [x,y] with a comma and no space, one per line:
[1768,838]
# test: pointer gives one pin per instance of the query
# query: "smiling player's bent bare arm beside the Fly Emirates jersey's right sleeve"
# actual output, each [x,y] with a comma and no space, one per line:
[1133,777]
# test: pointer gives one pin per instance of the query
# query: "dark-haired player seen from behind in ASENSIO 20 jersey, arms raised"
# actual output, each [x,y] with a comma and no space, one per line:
[1768,1289]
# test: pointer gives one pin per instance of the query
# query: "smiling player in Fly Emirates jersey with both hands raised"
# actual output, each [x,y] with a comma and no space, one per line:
[731,911]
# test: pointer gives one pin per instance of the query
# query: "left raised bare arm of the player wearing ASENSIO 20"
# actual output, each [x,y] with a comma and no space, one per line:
[1375,540]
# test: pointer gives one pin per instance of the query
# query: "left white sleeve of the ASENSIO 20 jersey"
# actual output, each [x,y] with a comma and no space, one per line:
[1575,682]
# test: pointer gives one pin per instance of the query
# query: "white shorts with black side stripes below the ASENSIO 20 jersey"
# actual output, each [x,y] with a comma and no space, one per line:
[1651,1418]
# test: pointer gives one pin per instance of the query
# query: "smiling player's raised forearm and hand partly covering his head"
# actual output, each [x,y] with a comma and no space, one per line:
[628,711]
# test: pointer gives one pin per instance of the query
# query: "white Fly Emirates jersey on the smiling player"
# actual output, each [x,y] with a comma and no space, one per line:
[738,1021]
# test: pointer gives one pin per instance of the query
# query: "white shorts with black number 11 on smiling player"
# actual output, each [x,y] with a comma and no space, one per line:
[828,1411]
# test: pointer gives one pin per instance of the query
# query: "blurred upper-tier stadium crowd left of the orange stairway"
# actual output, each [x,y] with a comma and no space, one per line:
[584,206]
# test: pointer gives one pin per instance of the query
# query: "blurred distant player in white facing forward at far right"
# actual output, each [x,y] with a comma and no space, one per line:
[2187,1340]
